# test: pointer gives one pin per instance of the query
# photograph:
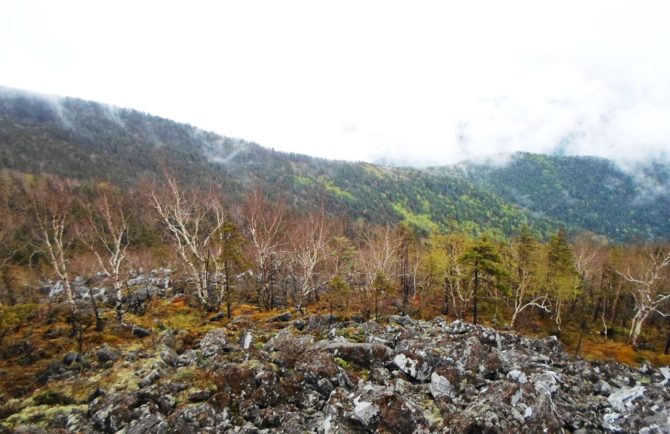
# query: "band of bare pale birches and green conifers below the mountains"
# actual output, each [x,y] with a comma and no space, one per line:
[253,250]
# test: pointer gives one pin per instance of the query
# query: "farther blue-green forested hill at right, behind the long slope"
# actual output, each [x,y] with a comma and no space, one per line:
[585,192]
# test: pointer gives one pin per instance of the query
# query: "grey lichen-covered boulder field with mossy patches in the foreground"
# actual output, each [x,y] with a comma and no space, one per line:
[317,375]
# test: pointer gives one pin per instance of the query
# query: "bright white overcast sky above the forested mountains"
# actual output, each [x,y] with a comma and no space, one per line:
[413,82]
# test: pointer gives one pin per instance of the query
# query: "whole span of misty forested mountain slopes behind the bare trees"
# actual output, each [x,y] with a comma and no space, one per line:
[86,140]
